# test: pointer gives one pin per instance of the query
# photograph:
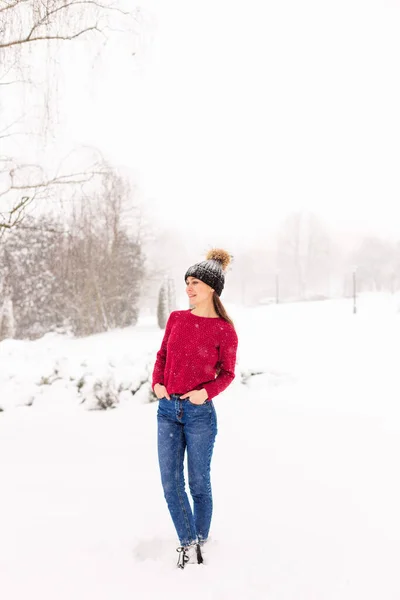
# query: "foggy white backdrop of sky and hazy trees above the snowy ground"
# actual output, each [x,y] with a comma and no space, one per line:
[270,129]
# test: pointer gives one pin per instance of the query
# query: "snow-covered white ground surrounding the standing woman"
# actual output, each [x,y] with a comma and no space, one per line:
[305,471]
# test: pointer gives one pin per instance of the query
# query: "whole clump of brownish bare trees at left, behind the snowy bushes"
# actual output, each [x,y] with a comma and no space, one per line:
[82,272]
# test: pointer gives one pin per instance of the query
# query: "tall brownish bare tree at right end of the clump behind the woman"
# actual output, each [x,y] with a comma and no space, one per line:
[103,266]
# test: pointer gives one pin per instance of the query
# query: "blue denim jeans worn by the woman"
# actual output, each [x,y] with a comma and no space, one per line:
[181,426]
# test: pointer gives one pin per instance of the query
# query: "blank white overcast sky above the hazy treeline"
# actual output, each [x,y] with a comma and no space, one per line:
[234,114]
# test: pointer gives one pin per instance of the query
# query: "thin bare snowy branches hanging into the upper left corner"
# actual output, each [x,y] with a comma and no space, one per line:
[31,33]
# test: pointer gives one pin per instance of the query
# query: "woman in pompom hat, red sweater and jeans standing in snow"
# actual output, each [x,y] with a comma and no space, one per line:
[195,363]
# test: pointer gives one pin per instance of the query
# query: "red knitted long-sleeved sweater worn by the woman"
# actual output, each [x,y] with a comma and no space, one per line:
[192,351]
